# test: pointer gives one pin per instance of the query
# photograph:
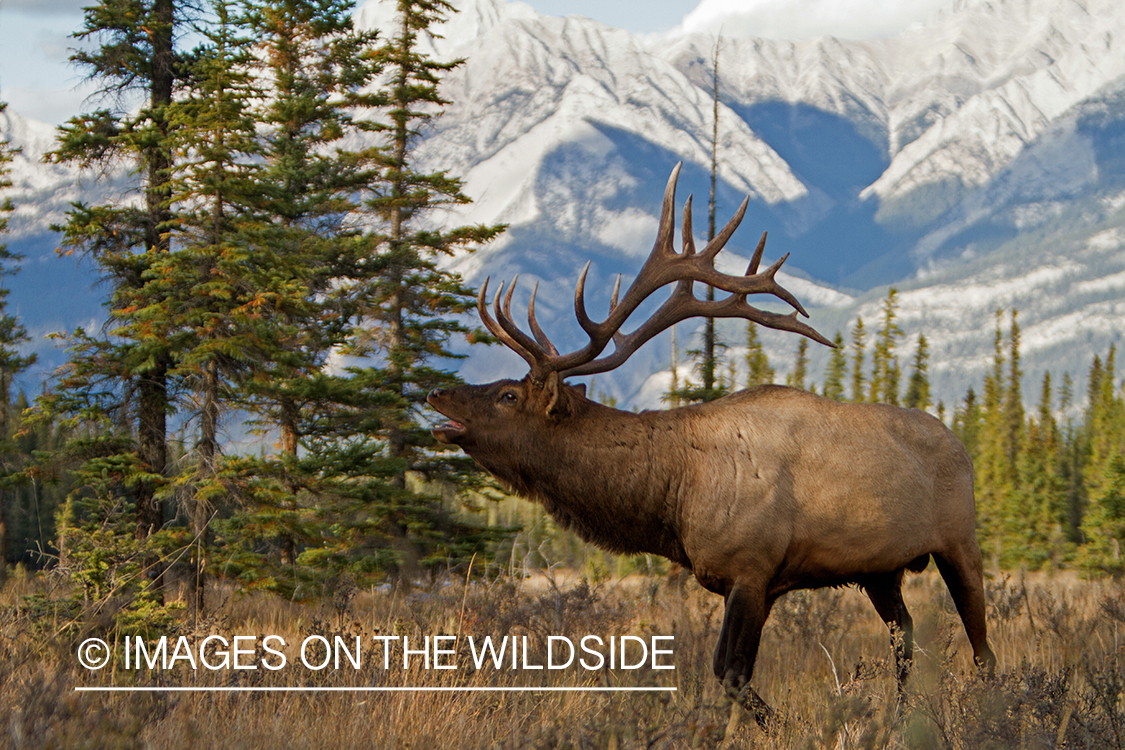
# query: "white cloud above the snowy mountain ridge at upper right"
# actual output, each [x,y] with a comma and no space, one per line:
[804,20]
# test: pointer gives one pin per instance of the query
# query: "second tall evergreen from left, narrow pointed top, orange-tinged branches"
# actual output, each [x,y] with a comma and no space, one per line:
[219,303]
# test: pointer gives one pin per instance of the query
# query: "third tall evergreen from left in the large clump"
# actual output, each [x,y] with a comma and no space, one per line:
[312,67]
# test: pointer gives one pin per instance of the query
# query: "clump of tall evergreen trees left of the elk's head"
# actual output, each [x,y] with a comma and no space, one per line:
[233,285]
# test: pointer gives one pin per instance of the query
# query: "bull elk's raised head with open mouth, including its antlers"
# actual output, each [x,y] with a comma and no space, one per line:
[543,395]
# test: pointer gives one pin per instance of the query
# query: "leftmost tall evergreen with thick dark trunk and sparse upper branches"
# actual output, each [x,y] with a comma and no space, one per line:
[116,382]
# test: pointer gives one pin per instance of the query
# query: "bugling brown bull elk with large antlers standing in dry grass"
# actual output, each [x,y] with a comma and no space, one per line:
[758,494]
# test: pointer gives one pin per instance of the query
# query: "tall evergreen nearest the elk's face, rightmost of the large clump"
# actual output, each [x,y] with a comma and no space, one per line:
[411,306]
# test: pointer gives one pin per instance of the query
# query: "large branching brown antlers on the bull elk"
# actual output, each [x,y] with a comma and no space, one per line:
[664,266]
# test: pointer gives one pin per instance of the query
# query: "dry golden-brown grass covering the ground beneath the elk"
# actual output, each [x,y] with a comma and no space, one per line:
[824,667]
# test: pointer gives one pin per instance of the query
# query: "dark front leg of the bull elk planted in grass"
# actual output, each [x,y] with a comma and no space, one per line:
[739,648]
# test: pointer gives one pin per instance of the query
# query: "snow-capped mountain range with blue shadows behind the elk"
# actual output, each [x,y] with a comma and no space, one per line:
[973,161]
